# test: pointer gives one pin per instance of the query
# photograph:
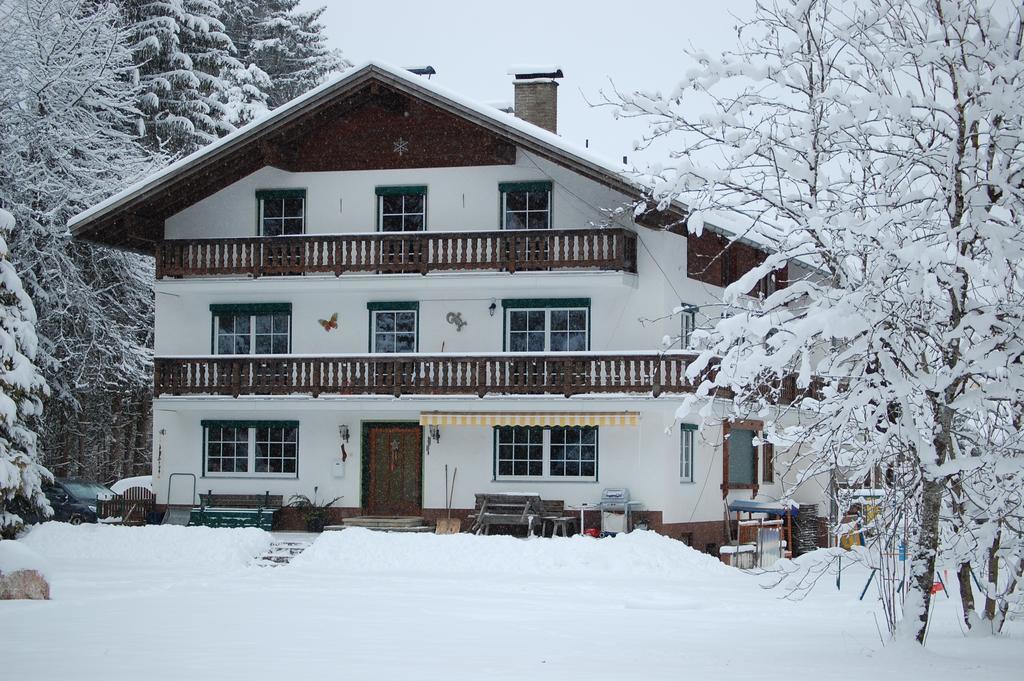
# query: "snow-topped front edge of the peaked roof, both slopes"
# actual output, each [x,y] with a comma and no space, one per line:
[522,133]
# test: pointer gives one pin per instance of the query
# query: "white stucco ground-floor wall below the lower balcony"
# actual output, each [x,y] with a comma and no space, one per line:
[646,459]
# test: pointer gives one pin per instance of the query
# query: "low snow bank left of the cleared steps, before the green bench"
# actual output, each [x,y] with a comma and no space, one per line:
[152,545]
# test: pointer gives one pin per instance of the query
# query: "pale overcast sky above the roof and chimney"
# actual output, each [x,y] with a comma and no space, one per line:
[635,45]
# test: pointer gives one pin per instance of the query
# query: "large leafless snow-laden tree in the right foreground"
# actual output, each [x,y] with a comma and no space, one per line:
[879,148]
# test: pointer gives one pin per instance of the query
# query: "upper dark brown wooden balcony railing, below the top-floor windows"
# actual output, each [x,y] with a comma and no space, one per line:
[421,252]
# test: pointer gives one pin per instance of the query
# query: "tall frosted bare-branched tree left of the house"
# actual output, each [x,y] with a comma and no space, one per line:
[68,141]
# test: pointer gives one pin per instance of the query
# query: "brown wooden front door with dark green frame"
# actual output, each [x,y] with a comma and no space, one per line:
[393,476]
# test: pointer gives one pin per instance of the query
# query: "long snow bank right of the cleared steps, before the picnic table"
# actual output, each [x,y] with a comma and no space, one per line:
[639,554]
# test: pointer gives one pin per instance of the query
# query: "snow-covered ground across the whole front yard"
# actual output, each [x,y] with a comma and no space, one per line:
[190,604]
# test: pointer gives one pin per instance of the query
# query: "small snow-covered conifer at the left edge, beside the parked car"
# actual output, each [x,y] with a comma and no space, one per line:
[22,391]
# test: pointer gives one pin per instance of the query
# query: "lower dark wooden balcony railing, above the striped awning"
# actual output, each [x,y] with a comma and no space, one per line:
[511,374]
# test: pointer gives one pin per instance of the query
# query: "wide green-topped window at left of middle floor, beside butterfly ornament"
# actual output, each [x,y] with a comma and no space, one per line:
[255,329]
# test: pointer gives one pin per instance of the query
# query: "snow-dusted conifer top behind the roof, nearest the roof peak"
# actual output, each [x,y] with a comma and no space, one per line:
[286,46]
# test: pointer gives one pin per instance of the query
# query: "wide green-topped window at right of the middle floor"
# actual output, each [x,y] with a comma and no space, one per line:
[547,325]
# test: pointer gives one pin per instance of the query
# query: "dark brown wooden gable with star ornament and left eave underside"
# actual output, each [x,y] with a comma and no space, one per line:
[374,126]
